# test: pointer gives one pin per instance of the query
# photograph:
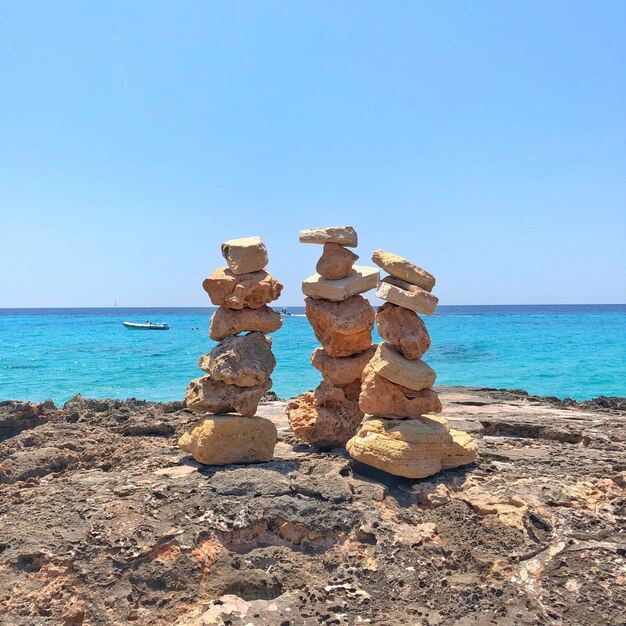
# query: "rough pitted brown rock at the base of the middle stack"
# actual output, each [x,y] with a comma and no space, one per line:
[326,417]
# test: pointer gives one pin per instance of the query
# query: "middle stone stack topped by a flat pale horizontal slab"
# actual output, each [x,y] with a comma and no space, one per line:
[342,321]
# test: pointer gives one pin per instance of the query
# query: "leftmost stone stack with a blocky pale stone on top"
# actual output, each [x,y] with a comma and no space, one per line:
[238,369]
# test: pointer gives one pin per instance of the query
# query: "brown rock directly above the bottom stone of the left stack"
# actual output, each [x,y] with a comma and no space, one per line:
[205,395]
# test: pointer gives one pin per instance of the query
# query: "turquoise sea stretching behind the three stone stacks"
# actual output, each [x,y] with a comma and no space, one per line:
[565,351]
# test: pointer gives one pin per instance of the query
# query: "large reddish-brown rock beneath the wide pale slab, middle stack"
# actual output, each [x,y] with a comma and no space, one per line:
[343,328]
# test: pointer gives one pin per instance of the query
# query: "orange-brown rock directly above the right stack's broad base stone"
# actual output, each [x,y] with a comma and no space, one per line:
[383,398]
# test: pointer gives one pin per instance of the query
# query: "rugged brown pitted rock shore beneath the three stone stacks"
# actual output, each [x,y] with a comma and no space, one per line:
[104,521]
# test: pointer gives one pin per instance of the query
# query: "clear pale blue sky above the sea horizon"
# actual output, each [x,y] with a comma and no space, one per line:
[483,140]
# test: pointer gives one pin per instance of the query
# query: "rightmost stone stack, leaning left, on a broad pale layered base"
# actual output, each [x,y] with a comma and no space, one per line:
[398,435]
